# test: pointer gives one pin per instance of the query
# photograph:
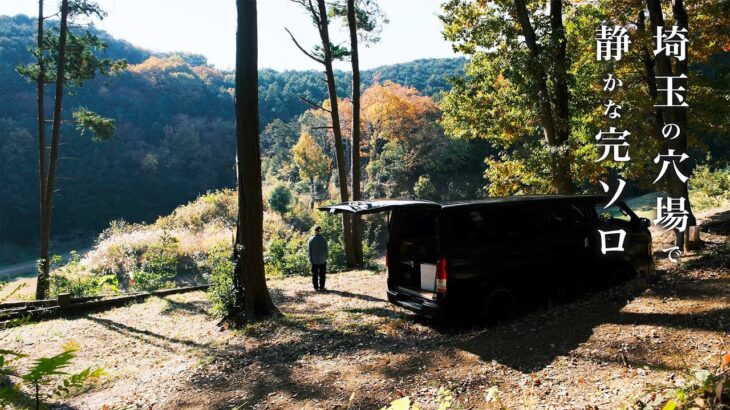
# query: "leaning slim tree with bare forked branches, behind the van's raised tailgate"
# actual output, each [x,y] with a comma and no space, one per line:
[325,55]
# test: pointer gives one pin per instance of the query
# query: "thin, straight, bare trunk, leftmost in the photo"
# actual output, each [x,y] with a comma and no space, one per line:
[40,86]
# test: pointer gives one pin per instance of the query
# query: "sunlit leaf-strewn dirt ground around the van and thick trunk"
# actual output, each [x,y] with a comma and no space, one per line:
[350,348]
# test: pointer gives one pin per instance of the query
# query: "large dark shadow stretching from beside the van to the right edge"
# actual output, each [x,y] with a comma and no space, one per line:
[534,341]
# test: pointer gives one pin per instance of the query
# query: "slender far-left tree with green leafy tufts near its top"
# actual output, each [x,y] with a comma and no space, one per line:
[71,55]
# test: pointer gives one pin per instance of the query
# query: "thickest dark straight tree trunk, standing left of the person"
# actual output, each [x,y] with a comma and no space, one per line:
[253,301]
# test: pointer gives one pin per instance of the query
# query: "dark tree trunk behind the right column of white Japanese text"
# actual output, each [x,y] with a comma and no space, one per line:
[671,115]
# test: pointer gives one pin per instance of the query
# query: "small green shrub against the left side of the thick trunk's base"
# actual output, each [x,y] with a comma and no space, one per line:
[220,268]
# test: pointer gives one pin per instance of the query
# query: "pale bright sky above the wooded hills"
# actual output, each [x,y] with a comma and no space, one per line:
[208,27]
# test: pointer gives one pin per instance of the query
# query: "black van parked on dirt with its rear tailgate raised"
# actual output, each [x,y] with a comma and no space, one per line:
[490,254]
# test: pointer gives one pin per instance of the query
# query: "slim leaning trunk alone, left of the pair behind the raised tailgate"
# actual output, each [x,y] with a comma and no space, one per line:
[336,130]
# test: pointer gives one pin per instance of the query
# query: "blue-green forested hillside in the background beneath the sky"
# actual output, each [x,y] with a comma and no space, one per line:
[152,103]
